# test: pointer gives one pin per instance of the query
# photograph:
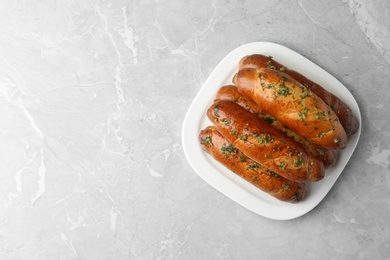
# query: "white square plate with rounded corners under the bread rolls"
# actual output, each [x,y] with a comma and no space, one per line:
[226,181]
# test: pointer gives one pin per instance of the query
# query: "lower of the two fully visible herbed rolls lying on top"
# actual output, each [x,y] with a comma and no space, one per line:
[263,143]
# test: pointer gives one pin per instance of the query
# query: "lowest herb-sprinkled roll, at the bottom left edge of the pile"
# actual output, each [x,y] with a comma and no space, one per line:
[233,159]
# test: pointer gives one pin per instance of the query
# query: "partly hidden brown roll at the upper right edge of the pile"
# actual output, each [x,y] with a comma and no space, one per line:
[343,112]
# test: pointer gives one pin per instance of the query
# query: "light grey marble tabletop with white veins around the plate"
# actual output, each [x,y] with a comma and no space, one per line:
[93,97]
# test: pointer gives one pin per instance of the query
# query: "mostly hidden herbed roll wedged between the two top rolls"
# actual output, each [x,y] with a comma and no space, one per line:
[230,92]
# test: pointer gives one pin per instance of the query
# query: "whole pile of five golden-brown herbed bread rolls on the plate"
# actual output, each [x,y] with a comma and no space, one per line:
[276,128]
